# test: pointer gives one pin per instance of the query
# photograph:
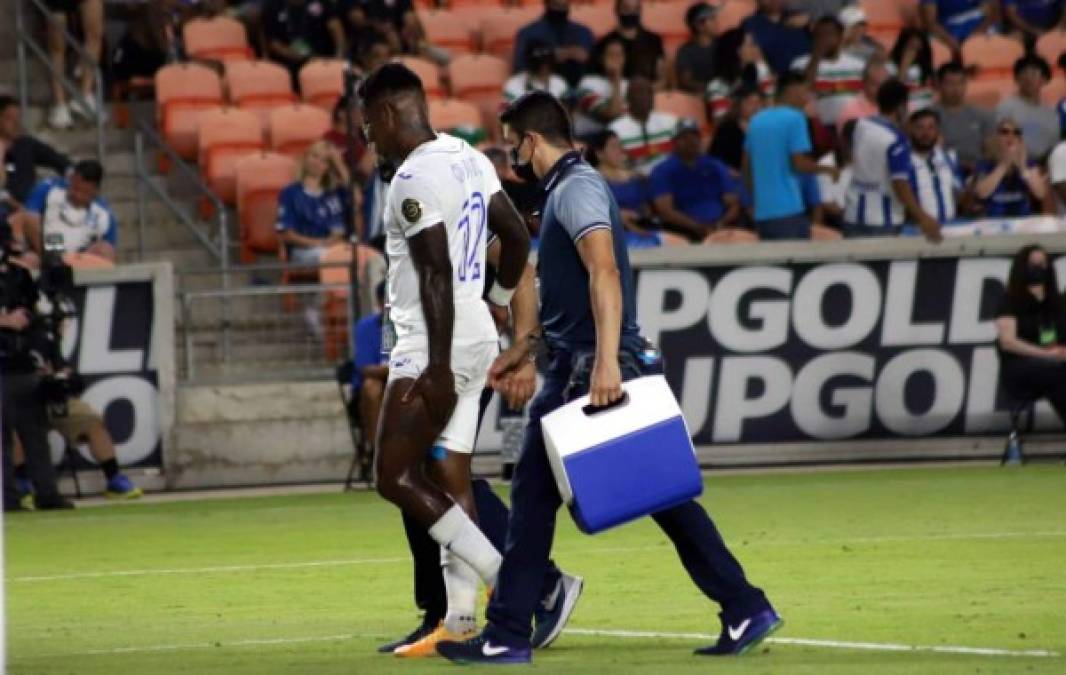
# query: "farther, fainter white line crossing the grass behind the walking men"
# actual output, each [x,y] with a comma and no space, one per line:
[591,550]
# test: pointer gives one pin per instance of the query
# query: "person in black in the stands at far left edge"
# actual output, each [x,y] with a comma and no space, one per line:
[22,154]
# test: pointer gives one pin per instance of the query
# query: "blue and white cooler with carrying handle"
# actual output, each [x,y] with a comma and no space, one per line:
[625,462]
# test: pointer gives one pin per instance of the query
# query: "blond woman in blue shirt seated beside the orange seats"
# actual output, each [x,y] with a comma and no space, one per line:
[311,213]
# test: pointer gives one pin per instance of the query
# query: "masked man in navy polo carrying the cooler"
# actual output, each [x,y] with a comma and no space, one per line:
[589,323]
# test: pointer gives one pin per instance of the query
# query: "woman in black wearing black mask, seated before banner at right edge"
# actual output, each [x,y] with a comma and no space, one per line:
[1031,325]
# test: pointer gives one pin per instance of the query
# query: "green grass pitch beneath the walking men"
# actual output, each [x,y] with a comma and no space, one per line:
[973,557]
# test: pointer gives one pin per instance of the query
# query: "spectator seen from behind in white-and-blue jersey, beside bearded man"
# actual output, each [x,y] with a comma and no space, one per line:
[881,198]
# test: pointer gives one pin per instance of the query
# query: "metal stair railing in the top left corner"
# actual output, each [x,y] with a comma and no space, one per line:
[27,43]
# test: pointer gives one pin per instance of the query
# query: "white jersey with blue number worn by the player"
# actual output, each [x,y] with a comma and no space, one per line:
[443,182]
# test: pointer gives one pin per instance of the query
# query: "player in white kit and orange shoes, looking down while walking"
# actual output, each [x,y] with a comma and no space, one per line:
[441,206]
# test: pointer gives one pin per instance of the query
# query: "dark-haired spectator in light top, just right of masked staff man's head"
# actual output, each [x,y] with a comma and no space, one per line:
[601,97]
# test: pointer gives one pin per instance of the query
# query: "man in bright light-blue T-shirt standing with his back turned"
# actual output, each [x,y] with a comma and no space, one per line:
[777,153]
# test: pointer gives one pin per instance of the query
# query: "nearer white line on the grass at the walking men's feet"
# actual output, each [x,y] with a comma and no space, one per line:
[629,635]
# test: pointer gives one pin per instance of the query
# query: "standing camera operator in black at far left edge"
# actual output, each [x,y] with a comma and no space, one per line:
[23,340]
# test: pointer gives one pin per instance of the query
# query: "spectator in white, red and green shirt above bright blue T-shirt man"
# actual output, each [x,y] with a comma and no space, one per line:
[835,75]
